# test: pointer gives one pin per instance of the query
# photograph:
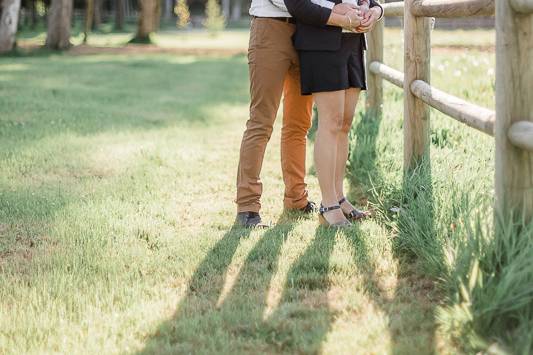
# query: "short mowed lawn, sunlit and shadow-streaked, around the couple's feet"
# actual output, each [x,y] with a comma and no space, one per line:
[117,177]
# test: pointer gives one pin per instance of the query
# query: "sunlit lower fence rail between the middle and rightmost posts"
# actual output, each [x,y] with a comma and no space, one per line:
[472,115]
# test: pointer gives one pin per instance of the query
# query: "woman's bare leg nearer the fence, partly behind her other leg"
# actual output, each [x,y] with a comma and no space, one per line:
[350,102]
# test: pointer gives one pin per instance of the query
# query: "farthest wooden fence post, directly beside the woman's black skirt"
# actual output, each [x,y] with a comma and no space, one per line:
[374,93]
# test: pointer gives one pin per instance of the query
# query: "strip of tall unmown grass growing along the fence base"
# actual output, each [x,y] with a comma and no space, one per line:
[441,217]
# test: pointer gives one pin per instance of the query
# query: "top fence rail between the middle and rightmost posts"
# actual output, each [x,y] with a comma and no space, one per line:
[458,8]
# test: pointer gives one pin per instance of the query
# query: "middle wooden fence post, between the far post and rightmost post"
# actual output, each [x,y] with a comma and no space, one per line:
[417,42]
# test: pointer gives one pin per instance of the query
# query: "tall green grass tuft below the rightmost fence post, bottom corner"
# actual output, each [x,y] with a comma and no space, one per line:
[491,287]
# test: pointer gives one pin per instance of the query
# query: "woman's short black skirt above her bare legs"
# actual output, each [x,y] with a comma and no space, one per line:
[334,70]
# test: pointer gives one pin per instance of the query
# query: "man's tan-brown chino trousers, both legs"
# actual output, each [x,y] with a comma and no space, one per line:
[274,70]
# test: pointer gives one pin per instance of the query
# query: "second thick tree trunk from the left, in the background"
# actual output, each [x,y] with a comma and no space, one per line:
[59,18]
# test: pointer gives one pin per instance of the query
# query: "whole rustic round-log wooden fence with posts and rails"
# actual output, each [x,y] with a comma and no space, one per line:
[511,124]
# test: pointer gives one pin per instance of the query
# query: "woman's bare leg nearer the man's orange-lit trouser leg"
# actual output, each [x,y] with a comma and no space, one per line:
[330,107]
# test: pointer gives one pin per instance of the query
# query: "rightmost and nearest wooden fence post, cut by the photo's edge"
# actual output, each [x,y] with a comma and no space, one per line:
[514,102]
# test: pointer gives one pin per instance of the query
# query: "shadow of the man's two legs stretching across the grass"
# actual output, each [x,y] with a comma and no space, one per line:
[208,321]
